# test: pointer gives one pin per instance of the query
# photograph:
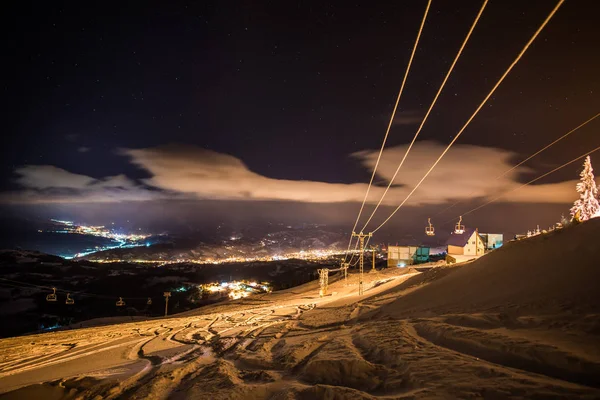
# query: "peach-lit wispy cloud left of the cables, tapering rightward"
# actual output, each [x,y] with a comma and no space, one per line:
[207,174]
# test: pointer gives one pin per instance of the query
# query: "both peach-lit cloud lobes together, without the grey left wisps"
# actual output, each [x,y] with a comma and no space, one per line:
[467,171]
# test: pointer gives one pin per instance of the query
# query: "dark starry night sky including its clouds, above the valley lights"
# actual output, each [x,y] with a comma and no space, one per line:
[158,103]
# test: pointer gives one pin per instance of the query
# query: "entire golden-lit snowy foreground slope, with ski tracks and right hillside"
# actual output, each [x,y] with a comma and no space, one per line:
[520,322]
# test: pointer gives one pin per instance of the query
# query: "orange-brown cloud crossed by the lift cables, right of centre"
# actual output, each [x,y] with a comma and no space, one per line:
[465,172]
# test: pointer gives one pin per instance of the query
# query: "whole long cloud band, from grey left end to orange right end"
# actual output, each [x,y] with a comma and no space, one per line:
[189,172]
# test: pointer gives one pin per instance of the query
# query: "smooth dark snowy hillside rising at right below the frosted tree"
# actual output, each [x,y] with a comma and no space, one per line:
[555,272]
